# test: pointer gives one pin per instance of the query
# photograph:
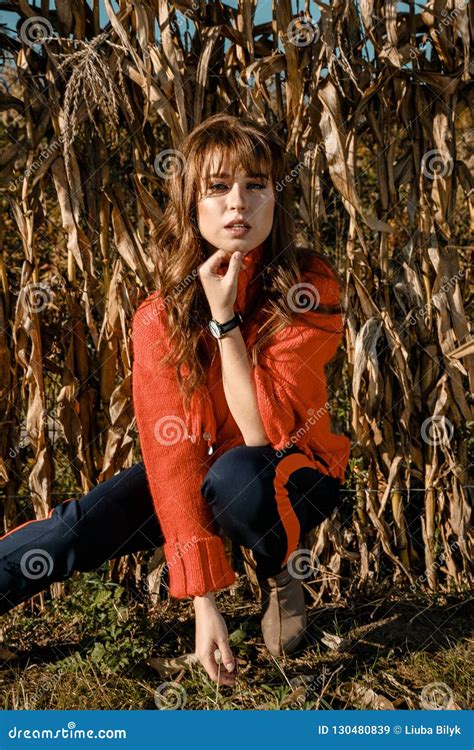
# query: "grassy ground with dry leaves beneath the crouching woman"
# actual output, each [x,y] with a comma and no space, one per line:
[90,650]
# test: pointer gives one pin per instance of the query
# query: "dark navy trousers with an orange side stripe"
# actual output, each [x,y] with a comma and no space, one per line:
[258,498]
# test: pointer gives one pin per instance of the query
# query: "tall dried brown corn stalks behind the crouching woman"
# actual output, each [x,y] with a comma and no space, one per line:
[375,108]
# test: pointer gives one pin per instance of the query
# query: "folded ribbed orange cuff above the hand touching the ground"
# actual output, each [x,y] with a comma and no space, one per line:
[197,566]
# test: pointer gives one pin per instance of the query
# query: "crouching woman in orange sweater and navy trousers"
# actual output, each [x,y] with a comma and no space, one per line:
[230,398]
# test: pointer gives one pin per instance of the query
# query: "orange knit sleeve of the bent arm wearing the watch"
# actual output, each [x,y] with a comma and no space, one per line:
[290,380]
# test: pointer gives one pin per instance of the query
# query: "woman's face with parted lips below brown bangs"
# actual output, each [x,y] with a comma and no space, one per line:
[235,199]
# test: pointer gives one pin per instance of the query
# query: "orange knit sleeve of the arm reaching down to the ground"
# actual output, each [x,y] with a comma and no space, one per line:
[175,466]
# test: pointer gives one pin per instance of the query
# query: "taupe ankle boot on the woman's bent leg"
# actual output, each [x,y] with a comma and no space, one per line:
[283,613]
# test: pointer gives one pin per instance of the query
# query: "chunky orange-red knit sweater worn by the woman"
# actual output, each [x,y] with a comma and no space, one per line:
[176,444]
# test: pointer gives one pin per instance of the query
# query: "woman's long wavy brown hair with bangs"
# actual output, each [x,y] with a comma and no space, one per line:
[179,249]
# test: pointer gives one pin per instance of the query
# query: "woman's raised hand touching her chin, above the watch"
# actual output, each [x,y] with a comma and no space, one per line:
[221,291]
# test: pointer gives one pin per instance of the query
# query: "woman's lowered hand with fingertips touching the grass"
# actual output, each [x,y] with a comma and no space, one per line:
[211,634]
